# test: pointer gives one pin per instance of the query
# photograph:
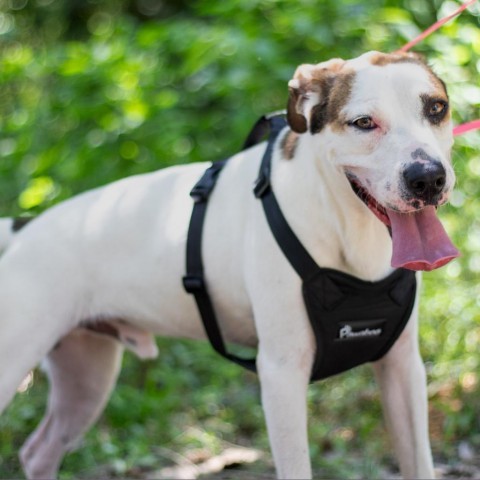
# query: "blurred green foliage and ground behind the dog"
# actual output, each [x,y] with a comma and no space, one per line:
[92,91]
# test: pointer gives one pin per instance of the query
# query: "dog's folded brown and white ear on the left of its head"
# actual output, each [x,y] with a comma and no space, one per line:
[310,82]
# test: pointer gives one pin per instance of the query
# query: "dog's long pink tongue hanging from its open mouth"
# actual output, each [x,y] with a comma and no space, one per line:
[419,240]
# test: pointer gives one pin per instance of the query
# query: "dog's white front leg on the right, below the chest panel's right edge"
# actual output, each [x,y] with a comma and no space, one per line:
[402,379]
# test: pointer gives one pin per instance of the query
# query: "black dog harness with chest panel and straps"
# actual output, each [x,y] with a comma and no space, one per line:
[354,321]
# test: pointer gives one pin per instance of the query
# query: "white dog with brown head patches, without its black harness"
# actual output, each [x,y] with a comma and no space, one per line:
[358,174]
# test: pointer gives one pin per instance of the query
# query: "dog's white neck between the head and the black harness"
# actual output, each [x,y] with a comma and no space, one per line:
[349,237]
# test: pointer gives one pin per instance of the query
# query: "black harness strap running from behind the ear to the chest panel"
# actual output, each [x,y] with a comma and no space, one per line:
[286,239]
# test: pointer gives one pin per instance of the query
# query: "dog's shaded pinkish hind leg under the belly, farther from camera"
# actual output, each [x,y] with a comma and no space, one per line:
[82,370]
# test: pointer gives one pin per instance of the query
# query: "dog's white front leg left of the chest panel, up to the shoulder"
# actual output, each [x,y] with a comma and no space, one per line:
[286,349]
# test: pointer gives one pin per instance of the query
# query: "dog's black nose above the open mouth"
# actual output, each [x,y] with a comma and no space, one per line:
[425,181]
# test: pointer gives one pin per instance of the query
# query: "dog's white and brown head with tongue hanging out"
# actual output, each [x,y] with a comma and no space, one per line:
[384,120]
